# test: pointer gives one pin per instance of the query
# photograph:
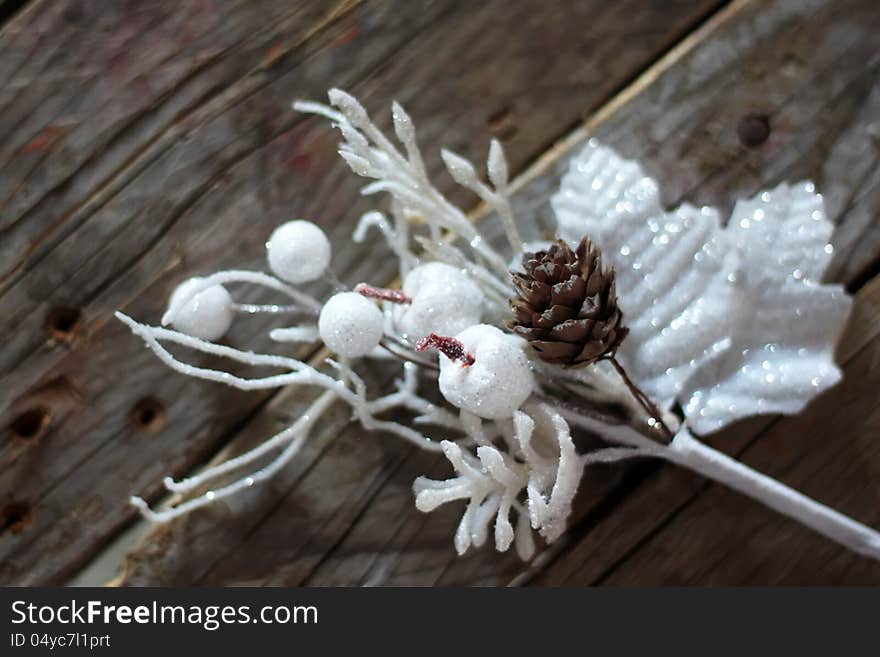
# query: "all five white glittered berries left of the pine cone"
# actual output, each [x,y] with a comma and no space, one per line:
[441,299]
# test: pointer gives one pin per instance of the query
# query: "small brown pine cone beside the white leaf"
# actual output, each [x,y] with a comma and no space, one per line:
[567,305]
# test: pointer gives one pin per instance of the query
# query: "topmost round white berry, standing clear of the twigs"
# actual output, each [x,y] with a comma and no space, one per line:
[298,251]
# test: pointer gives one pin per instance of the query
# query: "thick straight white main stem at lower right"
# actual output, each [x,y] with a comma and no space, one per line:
[687,451]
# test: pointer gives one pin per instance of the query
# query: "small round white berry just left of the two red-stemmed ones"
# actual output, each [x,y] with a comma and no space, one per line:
[350,325]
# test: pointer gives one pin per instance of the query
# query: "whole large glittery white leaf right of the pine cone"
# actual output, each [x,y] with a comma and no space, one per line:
[729,321]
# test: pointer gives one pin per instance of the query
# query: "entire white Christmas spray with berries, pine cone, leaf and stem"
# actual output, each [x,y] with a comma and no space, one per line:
[722,322]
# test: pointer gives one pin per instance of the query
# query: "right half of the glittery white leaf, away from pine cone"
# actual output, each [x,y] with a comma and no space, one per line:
[785,323]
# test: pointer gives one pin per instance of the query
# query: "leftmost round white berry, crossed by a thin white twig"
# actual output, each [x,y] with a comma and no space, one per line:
[207,315]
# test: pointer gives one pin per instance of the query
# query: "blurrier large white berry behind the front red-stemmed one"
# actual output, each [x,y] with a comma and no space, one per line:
[444,301]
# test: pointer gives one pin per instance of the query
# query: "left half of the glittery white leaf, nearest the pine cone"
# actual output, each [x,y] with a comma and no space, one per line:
[674,271]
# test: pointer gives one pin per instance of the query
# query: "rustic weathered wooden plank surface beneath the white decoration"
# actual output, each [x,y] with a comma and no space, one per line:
[141,142]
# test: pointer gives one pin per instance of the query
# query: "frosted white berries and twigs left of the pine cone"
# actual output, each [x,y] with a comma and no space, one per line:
[515,463]
